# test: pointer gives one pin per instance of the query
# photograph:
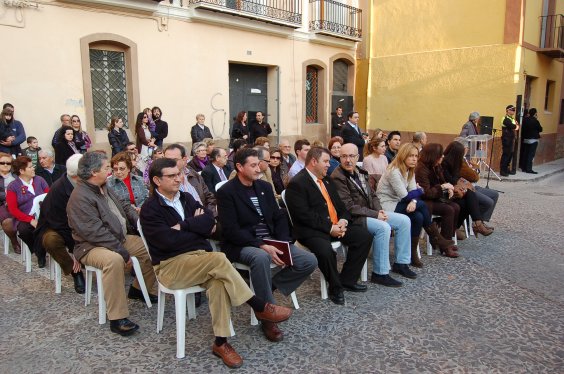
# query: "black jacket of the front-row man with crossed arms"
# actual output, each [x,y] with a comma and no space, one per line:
[157,218]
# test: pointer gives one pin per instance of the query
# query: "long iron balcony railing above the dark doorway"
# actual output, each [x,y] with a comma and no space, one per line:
[286,12]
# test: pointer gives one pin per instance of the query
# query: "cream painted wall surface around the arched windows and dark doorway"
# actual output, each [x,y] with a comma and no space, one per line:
[180,69]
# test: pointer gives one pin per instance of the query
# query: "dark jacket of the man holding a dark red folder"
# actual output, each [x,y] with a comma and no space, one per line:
[238,216]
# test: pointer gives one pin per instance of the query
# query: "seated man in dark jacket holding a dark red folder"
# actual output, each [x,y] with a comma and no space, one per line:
[248,213]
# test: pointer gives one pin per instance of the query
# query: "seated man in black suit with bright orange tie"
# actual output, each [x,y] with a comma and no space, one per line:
[320,217]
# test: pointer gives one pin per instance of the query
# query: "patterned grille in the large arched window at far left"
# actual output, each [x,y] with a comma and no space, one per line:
[109,86]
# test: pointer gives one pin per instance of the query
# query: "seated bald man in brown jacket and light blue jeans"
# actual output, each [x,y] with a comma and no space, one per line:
[363,204]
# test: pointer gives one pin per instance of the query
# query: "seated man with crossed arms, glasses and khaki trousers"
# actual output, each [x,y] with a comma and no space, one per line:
[176,227]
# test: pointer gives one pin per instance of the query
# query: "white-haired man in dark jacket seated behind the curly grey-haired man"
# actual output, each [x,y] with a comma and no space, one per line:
[53,233]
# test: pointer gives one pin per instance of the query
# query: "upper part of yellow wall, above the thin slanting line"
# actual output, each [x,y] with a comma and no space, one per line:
[409,26]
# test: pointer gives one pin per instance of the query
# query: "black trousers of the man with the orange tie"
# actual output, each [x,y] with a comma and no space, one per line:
[358,240]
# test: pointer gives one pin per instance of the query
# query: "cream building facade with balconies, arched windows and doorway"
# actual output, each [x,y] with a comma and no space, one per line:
[97,58]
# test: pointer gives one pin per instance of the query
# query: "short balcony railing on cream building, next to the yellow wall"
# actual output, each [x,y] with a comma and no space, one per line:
[336,19]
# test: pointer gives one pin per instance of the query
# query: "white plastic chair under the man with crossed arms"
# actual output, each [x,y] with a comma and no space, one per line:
[183,299]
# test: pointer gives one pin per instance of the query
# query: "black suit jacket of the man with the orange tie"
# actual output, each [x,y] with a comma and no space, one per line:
[308,207]
